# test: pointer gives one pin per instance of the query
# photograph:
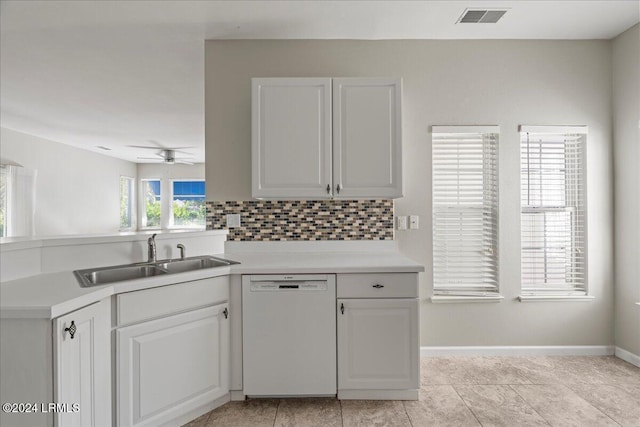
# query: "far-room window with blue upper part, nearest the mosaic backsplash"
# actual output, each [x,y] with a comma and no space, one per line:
[188,204]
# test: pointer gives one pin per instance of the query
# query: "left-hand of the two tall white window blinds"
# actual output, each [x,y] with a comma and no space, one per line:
[465,210]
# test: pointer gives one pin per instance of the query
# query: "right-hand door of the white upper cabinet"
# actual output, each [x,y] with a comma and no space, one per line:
[367,137]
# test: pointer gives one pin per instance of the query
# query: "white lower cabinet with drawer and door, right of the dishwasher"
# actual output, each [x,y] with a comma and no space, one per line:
[378,341]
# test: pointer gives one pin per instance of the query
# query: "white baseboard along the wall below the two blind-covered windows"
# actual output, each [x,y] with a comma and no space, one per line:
[568,350]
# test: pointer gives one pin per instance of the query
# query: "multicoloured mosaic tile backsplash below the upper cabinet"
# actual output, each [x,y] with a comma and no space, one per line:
[272,220]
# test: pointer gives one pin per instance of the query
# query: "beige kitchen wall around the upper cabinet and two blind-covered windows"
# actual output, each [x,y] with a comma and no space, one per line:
[449,82]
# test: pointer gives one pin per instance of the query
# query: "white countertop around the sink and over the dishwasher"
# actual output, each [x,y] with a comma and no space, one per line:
[54,294]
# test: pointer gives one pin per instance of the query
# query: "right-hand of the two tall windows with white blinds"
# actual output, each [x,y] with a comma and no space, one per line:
[553,217]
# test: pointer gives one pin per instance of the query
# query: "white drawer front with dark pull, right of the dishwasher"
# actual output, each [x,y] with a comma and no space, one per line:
[378,285]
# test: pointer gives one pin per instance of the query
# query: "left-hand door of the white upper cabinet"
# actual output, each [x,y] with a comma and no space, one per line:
[291,137]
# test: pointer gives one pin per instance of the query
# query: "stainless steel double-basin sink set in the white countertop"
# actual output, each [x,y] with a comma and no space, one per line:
[104,275]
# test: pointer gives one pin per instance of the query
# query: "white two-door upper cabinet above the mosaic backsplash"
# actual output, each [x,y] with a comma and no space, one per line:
[326,138]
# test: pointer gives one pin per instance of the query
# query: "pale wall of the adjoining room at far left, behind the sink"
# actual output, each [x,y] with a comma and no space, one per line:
[77,191]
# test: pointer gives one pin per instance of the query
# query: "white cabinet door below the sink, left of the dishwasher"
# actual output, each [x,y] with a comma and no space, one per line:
[170,366]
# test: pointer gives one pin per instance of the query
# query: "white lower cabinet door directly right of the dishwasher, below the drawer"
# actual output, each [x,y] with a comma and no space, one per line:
[378,344]
